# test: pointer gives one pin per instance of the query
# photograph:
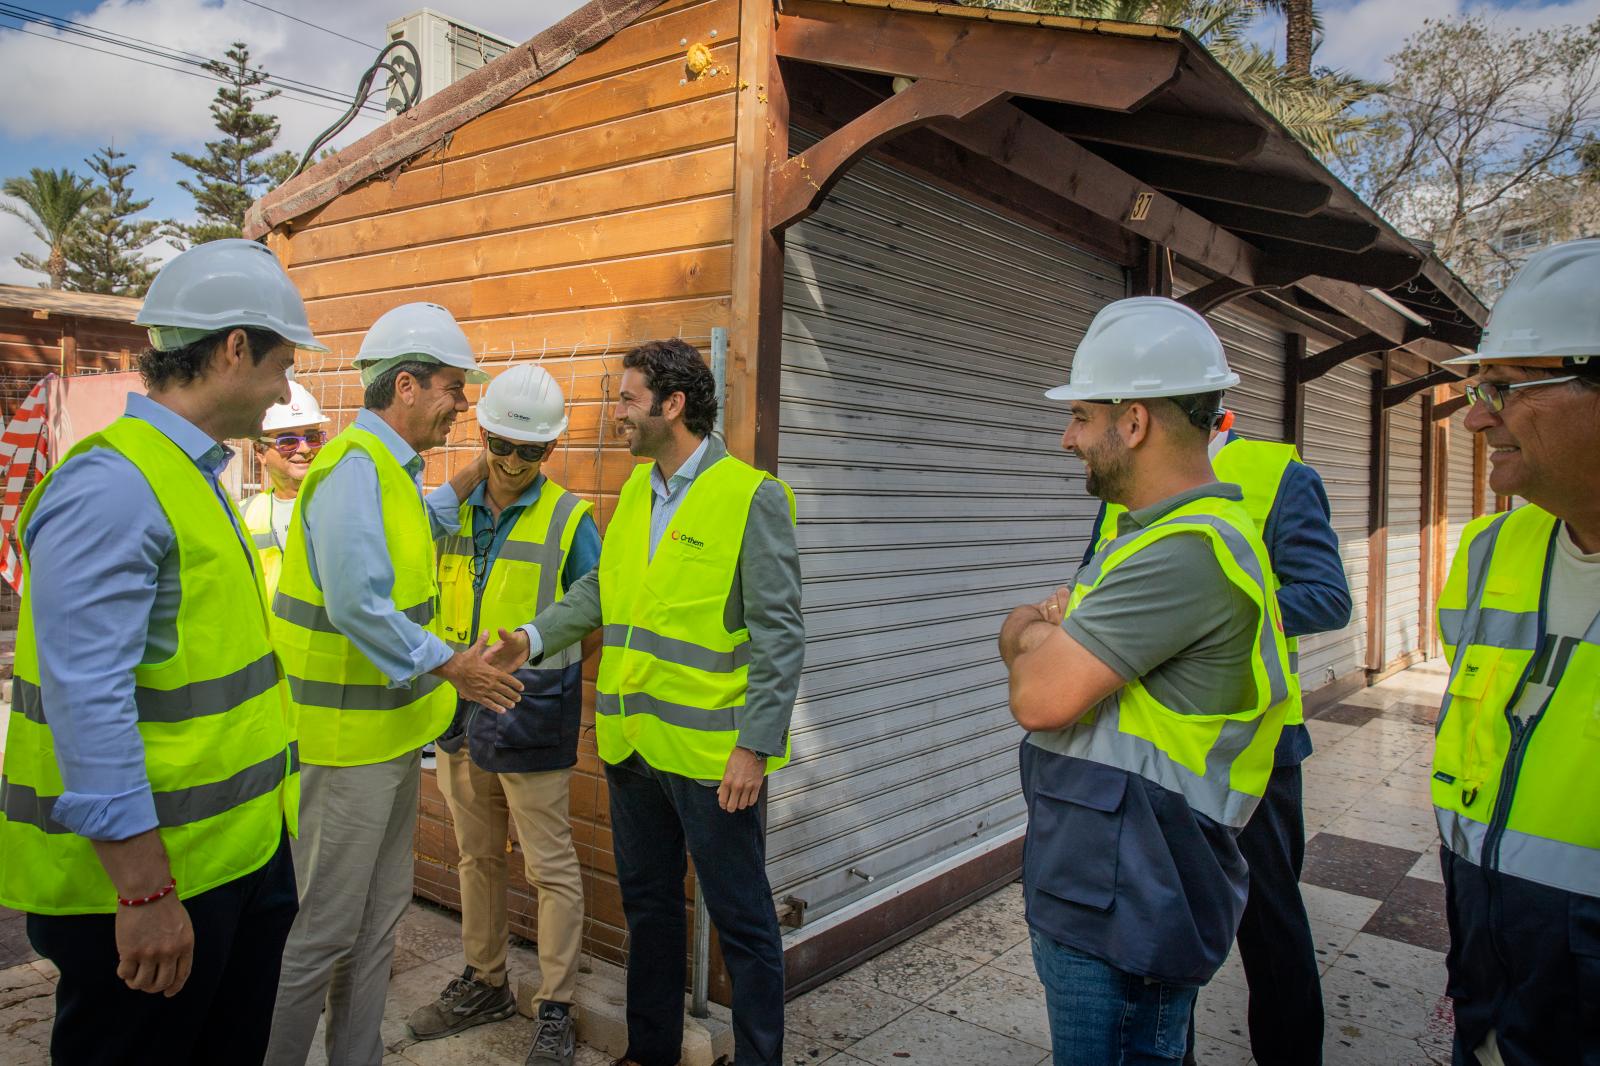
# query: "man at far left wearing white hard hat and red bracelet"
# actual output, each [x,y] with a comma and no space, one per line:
[151,779]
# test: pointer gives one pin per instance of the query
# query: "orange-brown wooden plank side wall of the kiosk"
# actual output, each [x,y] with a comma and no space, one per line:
[588,214]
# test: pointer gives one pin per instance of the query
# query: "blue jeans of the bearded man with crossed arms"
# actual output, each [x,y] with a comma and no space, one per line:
[1103,1017]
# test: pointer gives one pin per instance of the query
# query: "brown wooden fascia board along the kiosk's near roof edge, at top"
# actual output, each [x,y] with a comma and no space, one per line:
[1087,70]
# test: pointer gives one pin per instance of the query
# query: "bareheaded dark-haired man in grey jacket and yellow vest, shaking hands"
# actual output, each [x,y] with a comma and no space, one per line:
[698,593]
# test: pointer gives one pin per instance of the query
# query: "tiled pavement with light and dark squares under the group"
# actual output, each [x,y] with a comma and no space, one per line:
[964,992]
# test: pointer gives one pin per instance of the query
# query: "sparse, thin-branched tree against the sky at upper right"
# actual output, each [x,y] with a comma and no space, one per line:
[1482,142]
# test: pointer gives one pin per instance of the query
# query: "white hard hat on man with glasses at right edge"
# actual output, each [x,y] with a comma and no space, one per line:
[1551,311]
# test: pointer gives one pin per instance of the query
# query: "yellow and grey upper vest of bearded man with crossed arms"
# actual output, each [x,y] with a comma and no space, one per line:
[1218,763]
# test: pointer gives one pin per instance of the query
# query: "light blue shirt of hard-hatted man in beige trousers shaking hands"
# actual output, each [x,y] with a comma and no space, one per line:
[345,548]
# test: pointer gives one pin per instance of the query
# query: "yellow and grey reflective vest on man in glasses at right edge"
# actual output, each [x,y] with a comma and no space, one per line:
[1516,796]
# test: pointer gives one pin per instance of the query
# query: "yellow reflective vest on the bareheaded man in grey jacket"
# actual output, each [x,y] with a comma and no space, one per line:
[673,676]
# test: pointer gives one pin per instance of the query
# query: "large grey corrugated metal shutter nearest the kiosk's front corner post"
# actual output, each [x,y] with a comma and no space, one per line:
[934,497]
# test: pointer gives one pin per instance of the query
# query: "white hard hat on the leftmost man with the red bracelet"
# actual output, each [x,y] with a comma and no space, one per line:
[225,286]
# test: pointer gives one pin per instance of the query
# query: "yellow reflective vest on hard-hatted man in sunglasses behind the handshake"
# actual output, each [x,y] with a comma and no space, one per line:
[526,577]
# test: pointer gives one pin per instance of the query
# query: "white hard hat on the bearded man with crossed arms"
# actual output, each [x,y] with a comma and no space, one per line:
[1146,348]
